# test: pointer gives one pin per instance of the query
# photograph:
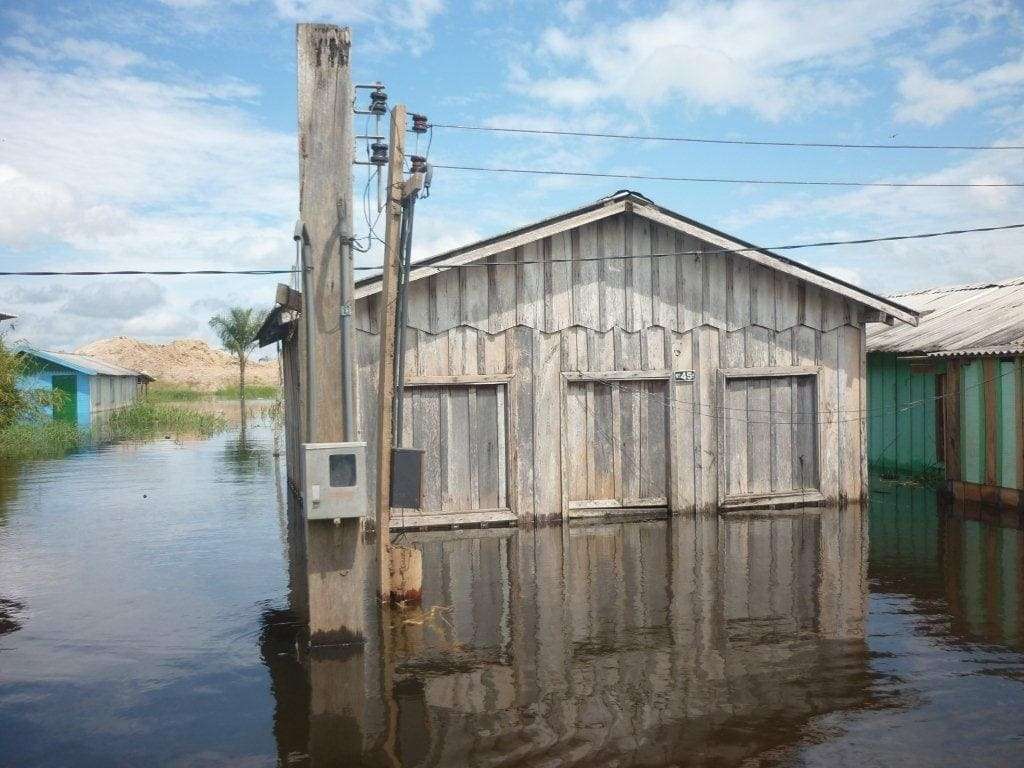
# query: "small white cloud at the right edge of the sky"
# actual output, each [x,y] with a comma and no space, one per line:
[930,101]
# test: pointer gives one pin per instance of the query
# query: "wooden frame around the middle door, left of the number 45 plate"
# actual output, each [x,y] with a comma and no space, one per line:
[591,508]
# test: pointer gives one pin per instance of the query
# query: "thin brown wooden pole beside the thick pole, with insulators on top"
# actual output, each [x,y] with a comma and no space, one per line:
[386,381]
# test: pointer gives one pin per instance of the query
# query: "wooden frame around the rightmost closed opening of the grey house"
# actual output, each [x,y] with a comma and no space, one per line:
[792,499]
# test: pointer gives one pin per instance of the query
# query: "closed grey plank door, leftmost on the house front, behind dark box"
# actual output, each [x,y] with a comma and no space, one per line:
[462,431]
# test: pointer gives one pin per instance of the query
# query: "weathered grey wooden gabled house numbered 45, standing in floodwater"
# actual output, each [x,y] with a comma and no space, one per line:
[622,357]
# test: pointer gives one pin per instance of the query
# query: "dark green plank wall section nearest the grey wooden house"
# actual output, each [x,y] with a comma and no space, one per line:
[902,426]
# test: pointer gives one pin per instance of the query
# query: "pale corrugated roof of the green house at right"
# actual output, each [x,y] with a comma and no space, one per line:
[979,319]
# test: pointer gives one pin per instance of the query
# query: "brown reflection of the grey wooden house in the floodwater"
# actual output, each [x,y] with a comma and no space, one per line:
[701,641]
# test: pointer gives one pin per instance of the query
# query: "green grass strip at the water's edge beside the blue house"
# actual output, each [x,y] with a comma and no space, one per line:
[48,440]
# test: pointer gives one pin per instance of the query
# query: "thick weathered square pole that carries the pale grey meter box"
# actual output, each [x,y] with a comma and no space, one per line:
[339,564]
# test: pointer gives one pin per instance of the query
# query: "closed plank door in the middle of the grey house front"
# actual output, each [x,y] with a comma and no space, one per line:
[616,444]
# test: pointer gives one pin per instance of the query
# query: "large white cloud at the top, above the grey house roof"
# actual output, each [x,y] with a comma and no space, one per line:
[775,58]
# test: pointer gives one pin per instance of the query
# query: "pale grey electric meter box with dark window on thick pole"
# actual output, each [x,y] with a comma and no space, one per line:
[335,480]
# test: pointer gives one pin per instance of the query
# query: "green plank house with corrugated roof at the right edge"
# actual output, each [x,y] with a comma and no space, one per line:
[947,397]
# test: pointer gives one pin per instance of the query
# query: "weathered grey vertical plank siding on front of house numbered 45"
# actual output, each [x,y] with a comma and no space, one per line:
[589,350]
